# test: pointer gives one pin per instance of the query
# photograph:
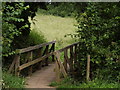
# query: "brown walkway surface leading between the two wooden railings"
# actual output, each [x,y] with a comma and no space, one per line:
[42,78]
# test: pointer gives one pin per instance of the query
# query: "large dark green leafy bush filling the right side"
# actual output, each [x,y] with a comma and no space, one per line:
[98,32]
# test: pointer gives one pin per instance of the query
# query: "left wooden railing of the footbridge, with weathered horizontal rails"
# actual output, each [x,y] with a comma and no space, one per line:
[17,66]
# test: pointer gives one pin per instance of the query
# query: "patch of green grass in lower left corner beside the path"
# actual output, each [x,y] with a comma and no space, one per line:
[11,81]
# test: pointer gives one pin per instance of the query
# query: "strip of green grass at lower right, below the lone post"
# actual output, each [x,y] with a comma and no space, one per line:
[97,83]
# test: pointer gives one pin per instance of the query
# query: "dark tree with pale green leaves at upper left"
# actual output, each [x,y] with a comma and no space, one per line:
[15,24]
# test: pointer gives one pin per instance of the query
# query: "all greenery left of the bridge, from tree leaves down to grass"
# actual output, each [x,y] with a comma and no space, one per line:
[16,33]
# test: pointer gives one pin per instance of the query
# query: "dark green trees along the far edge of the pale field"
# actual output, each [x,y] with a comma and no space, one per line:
[64,9]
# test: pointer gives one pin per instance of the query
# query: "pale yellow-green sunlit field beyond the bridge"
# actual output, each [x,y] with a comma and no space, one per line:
[55,28]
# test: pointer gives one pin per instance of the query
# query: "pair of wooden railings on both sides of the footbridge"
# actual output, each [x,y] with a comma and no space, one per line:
[40,56]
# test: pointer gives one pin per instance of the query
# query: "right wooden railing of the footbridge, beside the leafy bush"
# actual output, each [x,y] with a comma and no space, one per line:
[70,59]
